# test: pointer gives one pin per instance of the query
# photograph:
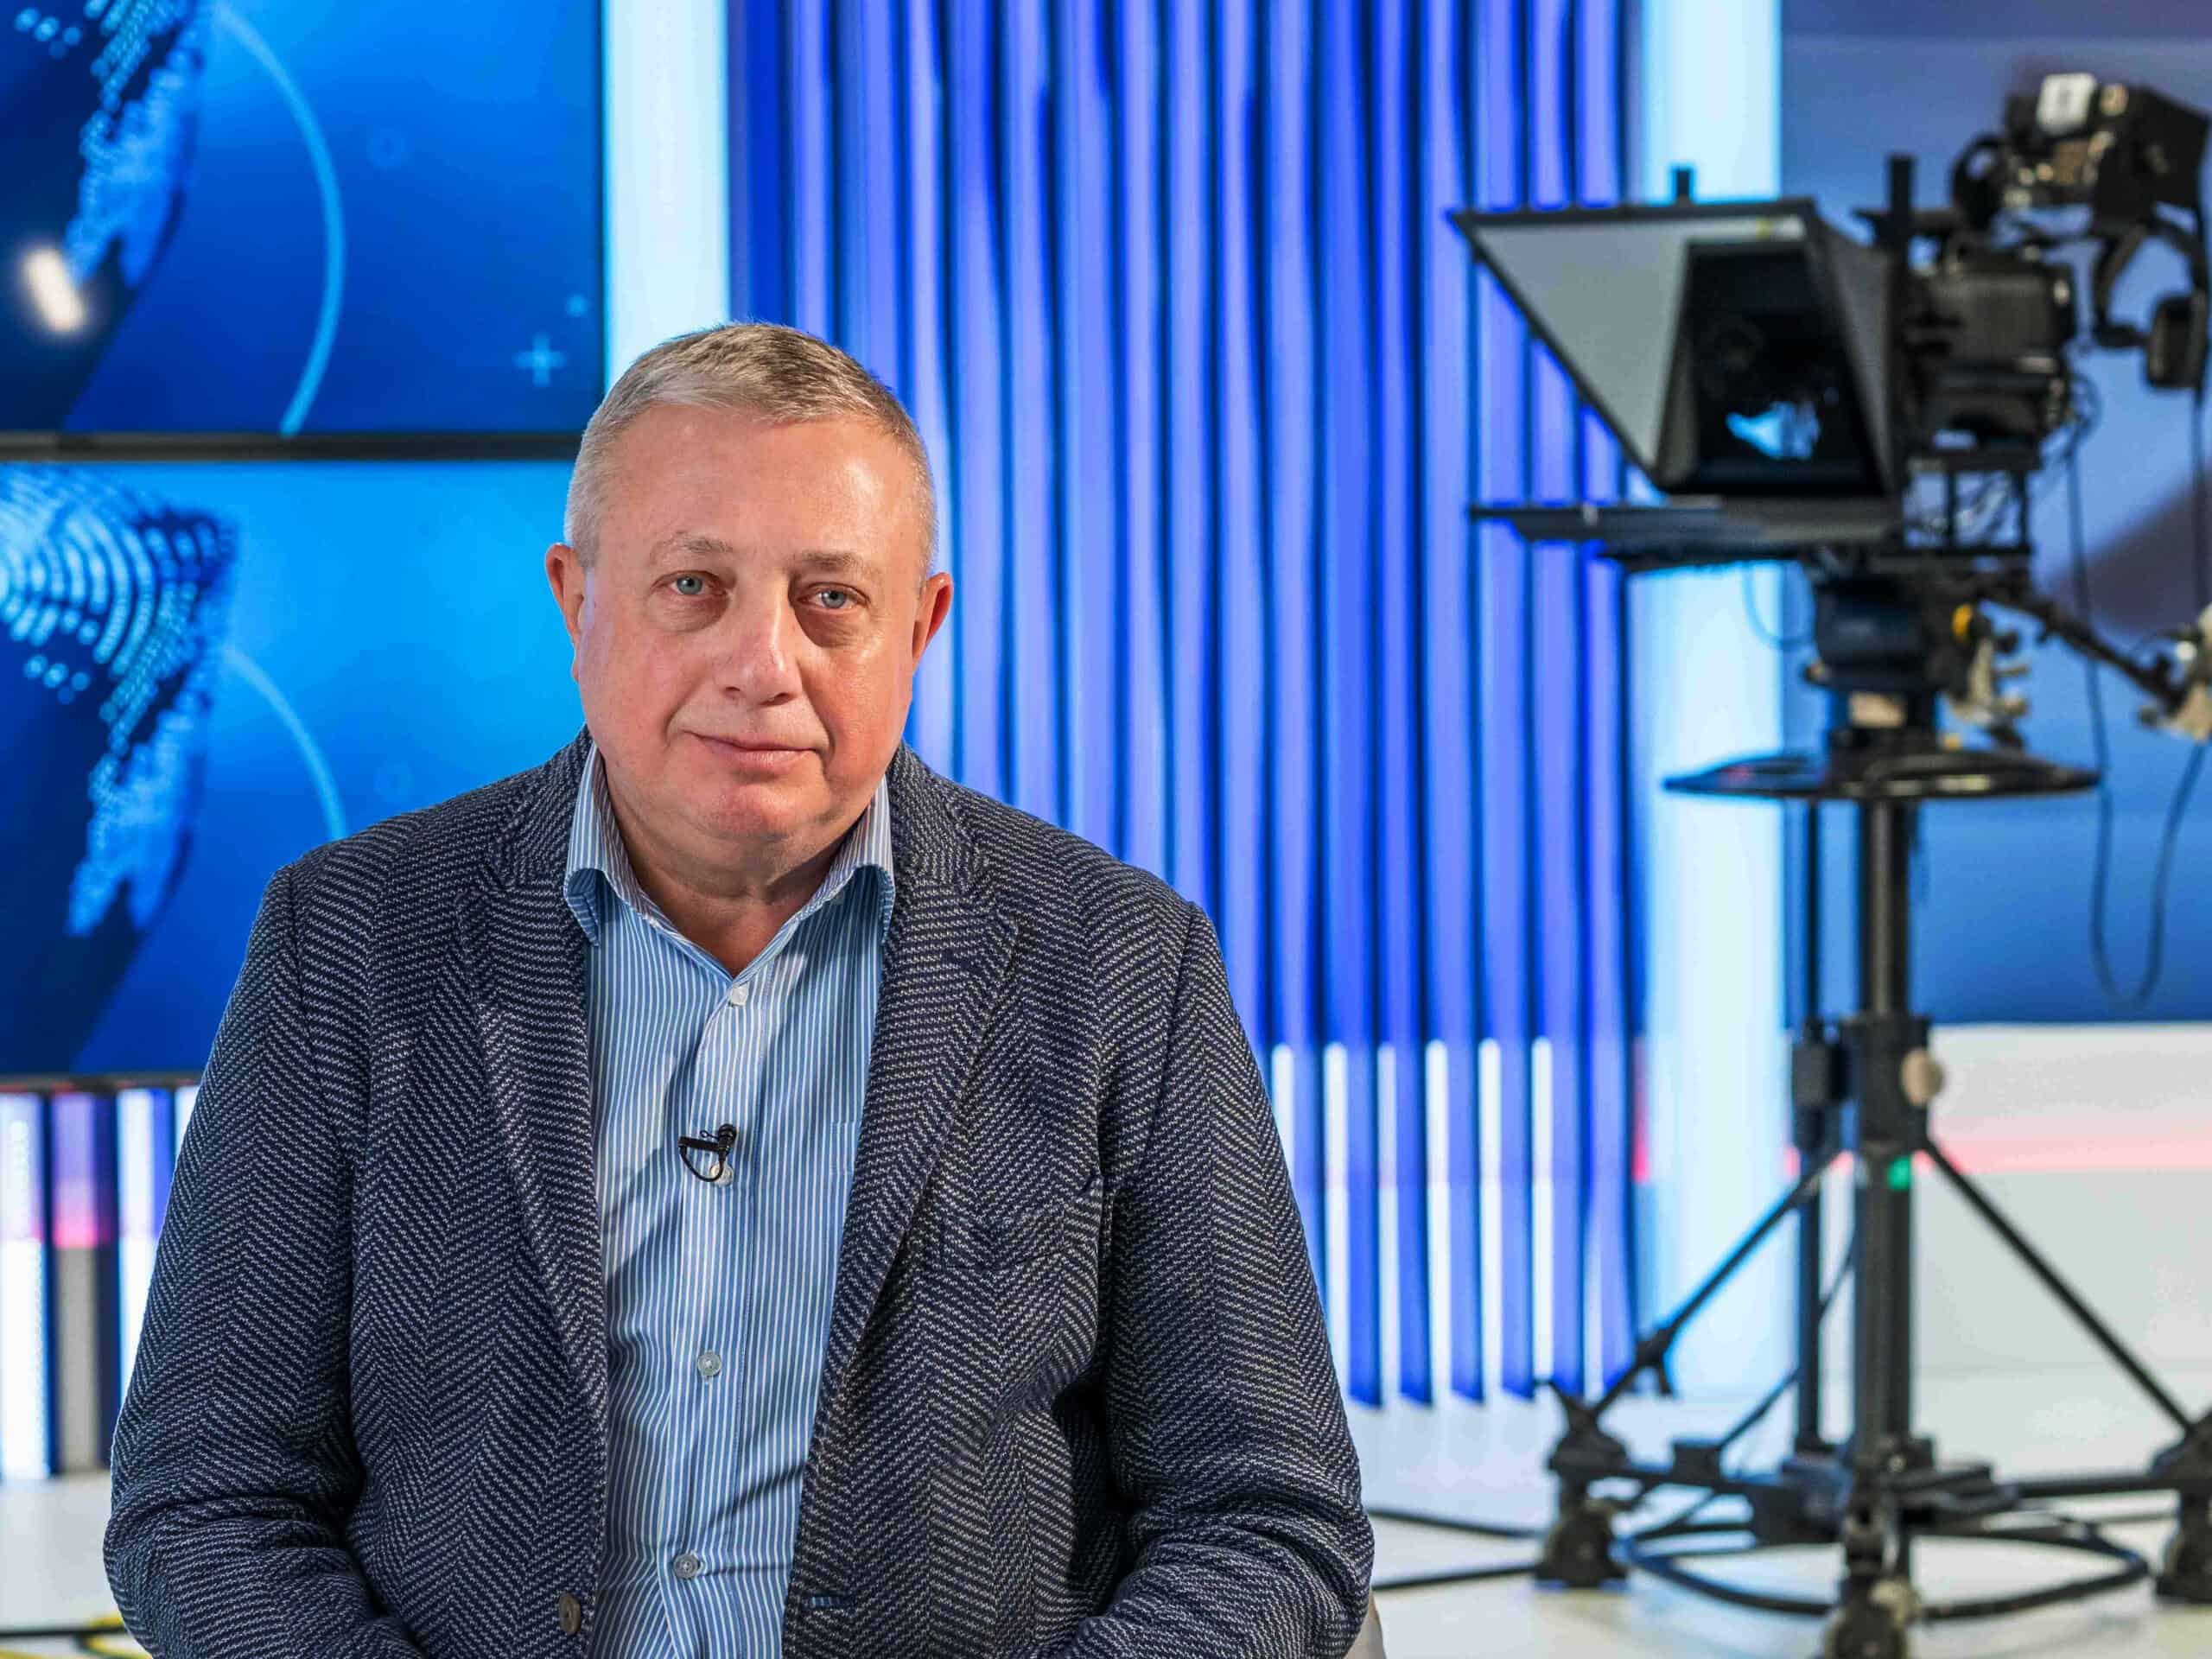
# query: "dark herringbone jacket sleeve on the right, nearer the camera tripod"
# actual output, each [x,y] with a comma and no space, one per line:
[1224,1415]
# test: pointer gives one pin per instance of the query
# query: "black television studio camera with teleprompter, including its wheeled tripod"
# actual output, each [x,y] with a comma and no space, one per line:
[1875,413]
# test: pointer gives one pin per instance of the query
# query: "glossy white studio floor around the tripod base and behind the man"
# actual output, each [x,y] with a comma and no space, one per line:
[1483,1463]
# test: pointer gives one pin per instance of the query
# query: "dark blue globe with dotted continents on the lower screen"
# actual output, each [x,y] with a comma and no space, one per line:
[112,625]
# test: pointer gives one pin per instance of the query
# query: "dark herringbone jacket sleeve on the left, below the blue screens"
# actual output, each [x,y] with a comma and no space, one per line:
[233,1463]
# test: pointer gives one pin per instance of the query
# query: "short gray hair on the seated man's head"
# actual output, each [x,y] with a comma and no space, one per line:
[775,373]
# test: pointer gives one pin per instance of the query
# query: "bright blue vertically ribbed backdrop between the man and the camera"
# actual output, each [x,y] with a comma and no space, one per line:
[1209,386]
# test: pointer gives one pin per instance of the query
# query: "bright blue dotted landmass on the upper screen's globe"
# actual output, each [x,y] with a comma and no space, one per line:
[147,59]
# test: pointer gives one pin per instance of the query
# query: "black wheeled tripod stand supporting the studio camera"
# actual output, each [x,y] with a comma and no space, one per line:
[1864,1085]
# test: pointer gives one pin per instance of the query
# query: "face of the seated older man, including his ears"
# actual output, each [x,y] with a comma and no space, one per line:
[749,629]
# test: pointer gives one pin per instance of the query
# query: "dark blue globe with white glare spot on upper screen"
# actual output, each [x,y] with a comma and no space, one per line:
[101,107]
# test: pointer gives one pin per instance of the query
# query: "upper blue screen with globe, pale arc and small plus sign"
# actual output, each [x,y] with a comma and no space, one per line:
[300,218]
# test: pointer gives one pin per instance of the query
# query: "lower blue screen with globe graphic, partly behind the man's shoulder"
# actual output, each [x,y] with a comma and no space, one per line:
[209,669]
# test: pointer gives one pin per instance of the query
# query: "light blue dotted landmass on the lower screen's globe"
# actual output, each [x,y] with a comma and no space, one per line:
[112,596]
